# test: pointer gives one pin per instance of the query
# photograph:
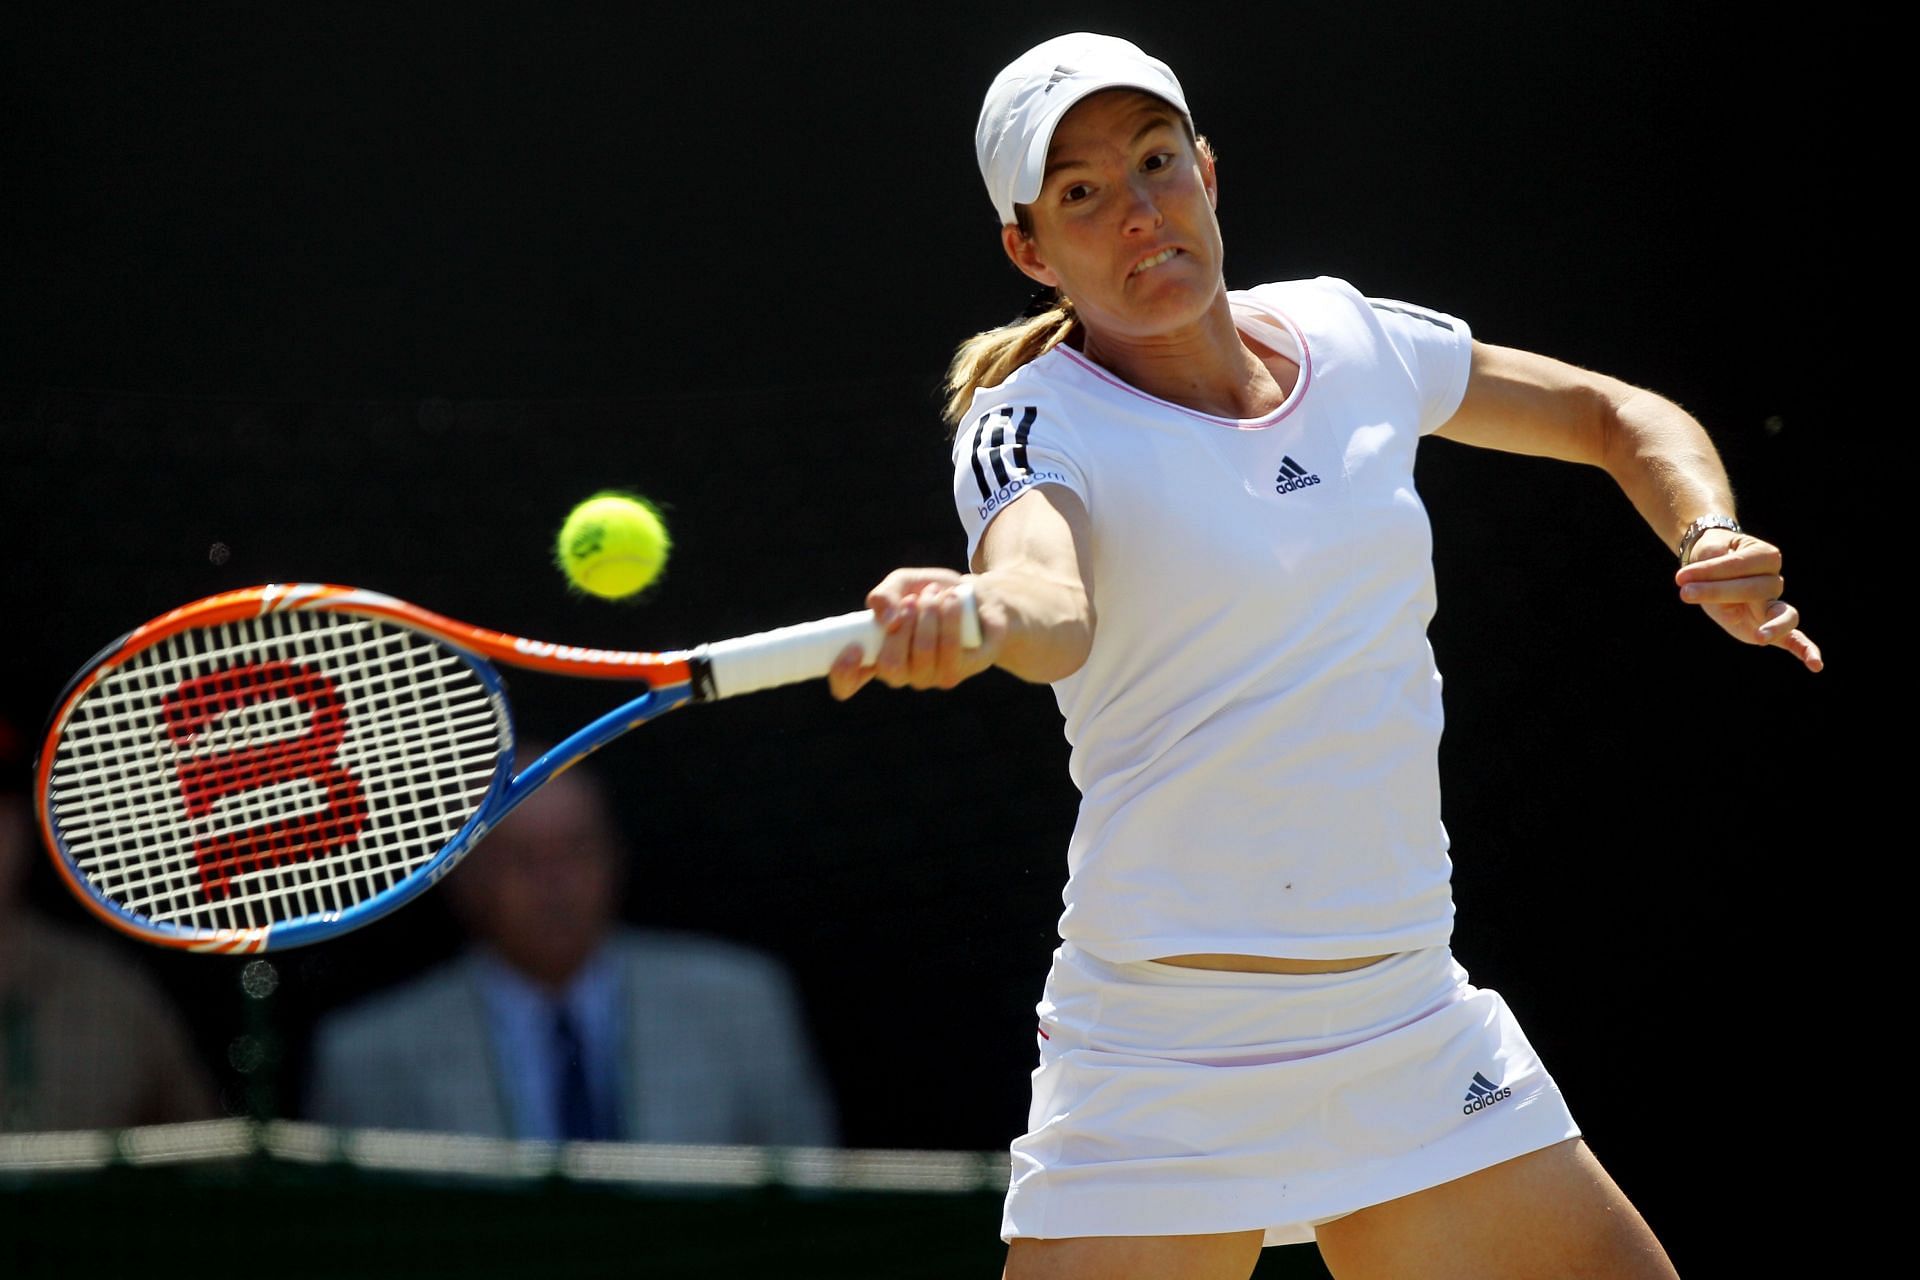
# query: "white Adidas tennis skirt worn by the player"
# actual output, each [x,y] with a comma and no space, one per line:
[1178,1102]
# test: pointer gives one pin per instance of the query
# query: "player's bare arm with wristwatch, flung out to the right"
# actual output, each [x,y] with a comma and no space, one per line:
[1664,462]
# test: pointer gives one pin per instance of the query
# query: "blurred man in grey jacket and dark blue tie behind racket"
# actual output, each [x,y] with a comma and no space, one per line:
[564,1024]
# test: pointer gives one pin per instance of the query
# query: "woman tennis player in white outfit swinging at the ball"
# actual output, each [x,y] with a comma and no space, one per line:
[1191,511]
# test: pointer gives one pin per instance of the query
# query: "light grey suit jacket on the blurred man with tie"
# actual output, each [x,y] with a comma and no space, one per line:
[717,1053]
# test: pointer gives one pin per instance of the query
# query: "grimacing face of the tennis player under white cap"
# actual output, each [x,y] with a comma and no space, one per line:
[1124,224]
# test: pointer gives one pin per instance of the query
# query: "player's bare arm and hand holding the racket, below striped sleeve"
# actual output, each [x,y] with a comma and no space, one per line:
[1034,586]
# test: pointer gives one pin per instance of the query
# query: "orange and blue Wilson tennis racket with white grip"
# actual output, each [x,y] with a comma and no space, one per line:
[281,765]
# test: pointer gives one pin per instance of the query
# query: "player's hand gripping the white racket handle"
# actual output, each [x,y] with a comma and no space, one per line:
[921,613]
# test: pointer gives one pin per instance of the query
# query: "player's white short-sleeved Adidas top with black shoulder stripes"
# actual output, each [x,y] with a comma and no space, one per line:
[1257,728]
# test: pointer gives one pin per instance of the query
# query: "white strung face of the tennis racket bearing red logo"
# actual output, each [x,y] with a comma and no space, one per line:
[277,769]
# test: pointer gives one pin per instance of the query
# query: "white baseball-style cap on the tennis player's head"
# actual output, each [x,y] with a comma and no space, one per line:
[1030,97]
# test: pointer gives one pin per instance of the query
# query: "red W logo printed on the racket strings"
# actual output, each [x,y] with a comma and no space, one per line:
[310,757]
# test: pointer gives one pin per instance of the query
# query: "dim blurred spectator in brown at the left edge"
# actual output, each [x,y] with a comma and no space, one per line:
[87,1041]
